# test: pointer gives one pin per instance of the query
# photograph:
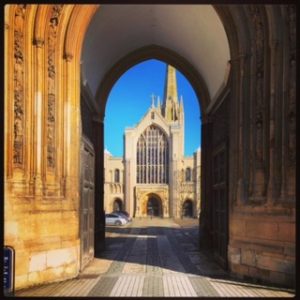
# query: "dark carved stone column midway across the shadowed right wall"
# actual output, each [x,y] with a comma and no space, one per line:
[259,107]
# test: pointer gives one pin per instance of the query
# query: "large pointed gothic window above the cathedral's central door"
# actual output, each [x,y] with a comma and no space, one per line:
[152,156]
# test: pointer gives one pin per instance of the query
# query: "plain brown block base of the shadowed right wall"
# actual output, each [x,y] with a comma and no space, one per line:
[263,246]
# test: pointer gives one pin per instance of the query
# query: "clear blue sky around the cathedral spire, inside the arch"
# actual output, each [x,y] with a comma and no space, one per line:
[130,98]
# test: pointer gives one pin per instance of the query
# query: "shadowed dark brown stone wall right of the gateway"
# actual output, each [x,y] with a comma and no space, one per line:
[262,214]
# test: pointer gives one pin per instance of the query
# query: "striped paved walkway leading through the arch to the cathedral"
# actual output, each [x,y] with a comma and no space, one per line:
[154,258]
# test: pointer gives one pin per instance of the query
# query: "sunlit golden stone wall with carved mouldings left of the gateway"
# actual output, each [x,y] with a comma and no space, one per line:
[42,142]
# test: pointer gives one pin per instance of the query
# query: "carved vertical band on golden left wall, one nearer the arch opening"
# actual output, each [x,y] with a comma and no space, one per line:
[52,40]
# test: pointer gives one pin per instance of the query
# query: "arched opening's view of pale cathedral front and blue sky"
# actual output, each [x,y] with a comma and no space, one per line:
[147,163]
